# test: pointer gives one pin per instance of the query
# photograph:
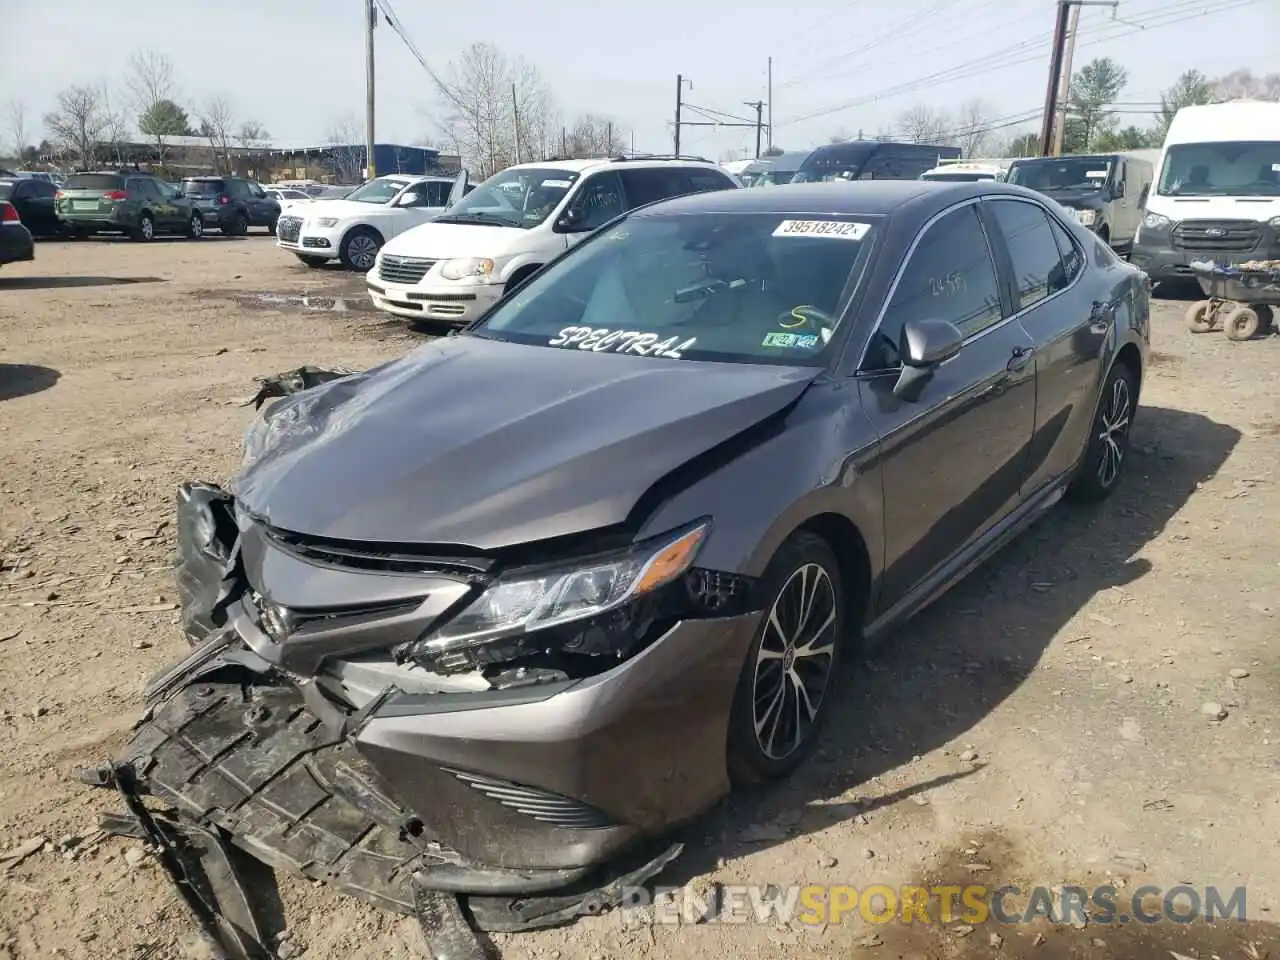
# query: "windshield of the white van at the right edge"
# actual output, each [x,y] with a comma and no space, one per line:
[1229,170]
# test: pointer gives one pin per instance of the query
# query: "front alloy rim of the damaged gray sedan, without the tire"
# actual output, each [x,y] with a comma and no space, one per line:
[794,664]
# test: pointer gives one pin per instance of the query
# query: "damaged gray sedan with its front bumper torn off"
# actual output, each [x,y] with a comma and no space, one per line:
[476,630]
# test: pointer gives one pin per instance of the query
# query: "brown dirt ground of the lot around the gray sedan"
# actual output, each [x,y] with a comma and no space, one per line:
[1043,724]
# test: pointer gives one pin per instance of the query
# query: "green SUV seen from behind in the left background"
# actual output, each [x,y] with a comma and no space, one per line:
[135,204]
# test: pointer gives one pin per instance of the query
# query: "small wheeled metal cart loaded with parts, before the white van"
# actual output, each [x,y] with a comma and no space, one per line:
[1242,299]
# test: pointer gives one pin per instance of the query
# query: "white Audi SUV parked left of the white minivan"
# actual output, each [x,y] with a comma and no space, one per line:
[355,228]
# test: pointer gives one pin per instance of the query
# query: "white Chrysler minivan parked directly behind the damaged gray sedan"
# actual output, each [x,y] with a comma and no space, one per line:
[456,267]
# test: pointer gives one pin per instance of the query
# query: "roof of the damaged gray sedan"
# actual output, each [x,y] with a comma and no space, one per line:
[858,198]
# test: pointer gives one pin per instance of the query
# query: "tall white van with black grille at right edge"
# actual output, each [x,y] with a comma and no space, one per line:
[1218,191]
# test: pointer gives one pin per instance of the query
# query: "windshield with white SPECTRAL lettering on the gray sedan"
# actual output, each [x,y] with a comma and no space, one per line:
[748,289]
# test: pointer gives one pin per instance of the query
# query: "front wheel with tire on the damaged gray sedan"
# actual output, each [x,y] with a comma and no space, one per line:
[785,687]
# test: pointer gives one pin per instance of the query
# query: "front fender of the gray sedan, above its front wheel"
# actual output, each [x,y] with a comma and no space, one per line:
[822,461]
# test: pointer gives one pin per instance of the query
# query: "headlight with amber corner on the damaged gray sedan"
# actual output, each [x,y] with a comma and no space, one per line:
[534,600]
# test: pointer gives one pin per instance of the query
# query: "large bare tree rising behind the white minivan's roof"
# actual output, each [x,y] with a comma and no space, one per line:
[496,109]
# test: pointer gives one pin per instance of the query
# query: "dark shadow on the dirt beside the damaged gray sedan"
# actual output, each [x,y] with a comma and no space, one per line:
[952,666]
